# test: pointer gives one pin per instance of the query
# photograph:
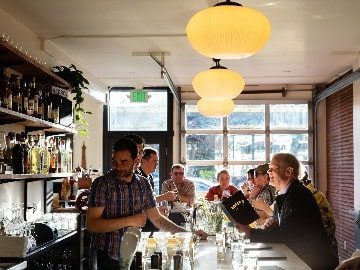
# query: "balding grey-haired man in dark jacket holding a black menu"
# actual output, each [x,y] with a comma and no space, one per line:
[297,220]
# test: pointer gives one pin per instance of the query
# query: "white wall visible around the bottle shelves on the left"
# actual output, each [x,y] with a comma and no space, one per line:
[23,38]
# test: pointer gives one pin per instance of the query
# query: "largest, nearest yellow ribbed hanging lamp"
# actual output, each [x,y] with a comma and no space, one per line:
[228,31]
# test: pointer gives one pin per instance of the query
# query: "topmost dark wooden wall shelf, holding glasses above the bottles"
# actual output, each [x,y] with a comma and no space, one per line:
[19,61]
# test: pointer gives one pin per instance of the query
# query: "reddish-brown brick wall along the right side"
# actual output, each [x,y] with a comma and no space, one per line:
[340,156]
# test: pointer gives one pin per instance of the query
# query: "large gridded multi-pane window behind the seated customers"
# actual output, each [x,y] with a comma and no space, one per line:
[249,136]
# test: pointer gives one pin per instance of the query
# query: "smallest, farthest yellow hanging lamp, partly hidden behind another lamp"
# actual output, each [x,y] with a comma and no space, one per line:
[215,107]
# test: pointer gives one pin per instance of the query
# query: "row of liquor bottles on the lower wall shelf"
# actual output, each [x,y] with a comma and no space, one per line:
[34,156]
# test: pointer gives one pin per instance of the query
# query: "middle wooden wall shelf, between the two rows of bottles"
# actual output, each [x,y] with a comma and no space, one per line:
[9,116]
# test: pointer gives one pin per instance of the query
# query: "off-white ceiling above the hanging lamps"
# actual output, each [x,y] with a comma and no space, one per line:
[311,41]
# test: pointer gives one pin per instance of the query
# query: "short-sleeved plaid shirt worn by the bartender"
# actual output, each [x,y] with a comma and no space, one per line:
[120,199]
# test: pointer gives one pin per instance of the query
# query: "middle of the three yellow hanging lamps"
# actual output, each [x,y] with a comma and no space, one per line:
[218,83]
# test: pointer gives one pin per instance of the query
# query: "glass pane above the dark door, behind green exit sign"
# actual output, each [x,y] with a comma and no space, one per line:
[126,116]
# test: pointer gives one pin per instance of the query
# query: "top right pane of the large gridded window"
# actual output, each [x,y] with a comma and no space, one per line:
[289,116]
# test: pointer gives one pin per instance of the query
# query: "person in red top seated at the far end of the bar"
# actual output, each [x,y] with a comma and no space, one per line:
[224,189]
